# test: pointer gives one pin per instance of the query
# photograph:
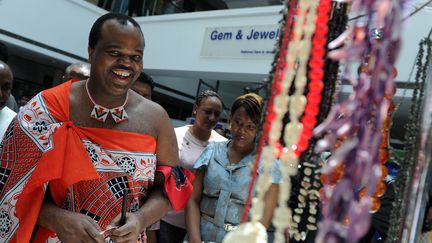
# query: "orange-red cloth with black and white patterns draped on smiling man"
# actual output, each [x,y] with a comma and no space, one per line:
[86,169]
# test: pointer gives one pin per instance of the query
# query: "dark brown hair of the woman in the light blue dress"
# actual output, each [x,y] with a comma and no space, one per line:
[253,105]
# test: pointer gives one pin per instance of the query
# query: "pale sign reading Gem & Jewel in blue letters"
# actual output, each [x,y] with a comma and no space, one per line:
[240,42]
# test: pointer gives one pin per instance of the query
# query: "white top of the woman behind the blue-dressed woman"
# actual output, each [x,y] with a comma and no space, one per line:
[190,148]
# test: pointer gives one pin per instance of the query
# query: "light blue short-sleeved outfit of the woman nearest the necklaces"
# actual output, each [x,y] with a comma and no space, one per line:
[225,188]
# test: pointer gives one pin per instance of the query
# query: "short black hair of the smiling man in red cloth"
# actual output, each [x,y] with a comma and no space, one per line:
[97,26]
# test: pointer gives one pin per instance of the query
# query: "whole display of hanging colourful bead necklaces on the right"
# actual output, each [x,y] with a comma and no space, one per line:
[351,180]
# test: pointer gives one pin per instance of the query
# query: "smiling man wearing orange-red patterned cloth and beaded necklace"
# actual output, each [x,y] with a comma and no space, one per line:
[87,143]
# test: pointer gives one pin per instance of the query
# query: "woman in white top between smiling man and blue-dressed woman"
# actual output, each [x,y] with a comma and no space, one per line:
[192,140]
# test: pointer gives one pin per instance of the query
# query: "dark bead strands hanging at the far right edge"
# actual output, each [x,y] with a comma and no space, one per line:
[411,185]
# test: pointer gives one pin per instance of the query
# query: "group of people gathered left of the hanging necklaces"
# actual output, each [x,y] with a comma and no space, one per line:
[94,159]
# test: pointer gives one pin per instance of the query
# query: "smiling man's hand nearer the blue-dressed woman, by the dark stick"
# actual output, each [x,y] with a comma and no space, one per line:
[129,232]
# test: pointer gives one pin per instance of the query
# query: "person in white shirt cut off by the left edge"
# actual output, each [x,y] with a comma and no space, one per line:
[6,114]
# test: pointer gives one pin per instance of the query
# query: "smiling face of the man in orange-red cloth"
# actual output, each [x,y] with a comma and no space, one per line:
[116,60]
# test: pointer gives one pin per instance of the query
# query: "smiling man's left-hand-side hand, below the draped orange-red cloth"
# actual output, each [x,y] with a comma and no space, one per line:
[75,227]
